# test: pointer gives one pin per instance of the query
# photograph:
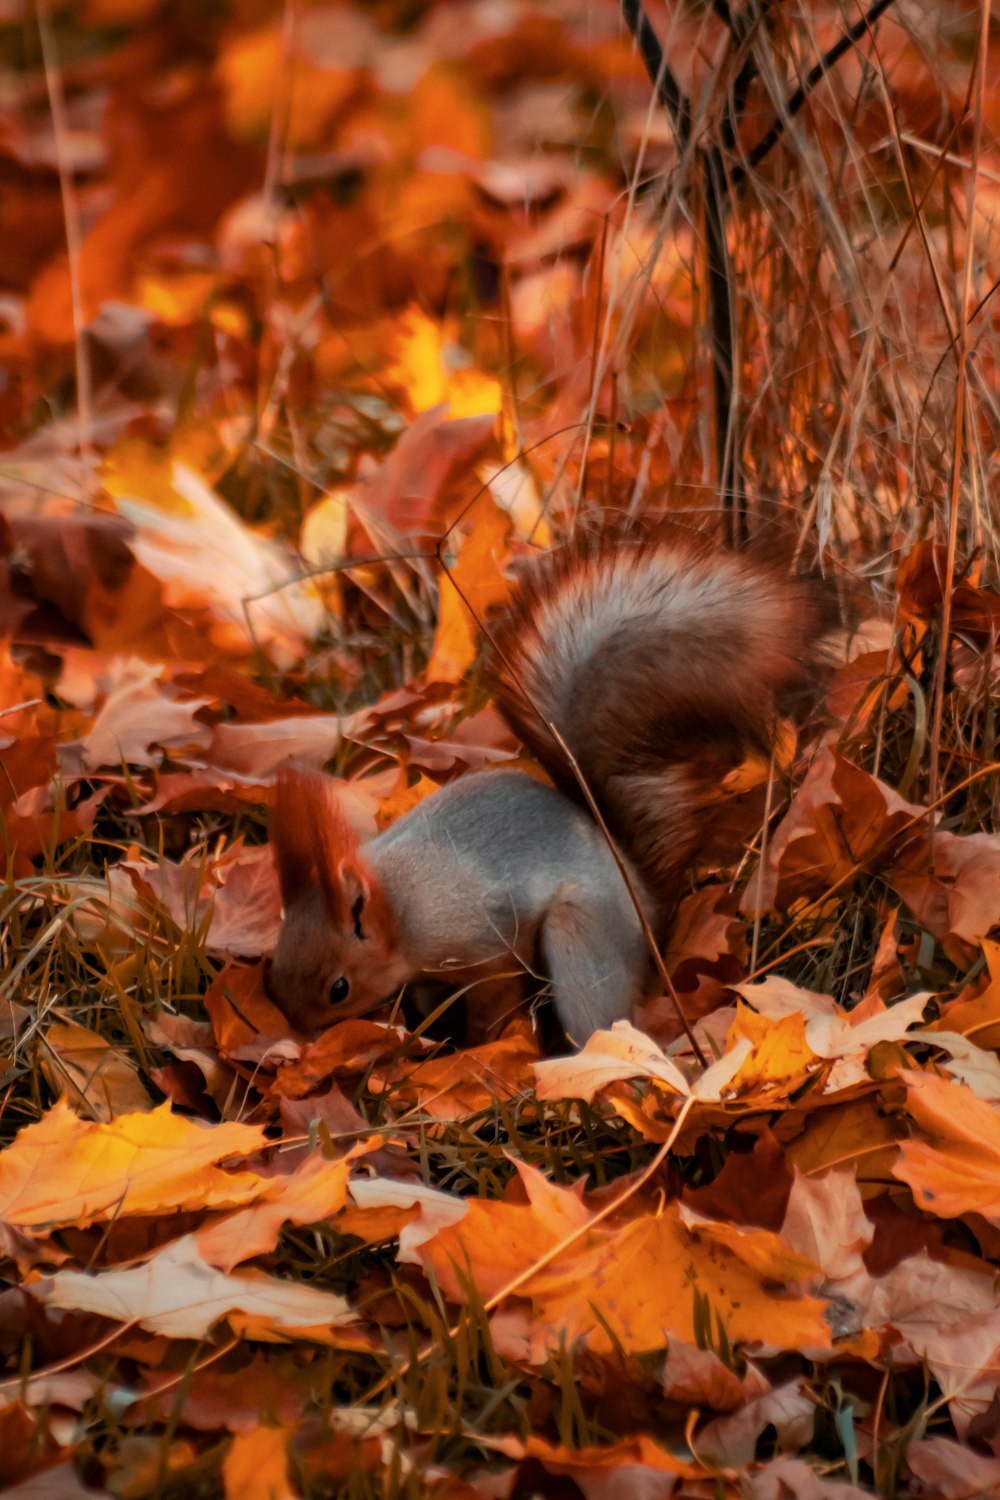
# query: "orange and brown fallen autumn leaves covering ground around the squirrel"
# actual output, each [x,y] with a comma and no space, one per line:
[434,293]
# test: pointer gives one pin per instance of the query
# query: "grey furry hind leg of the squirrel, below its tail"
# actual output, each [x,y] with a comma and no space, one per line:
[596,959]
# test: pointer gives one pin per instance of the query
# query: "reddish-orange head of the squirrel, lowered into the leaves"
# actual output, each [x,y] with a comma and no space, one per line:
[337,952]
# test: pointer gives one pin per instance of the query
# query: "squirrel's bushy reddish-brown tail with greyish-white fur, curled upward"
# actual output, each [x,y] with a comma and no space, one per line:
[660,664]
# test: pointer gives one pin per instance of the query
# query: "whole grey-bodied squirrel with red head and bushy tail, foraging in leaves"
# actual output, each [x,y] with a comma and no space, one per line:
[659,664]
